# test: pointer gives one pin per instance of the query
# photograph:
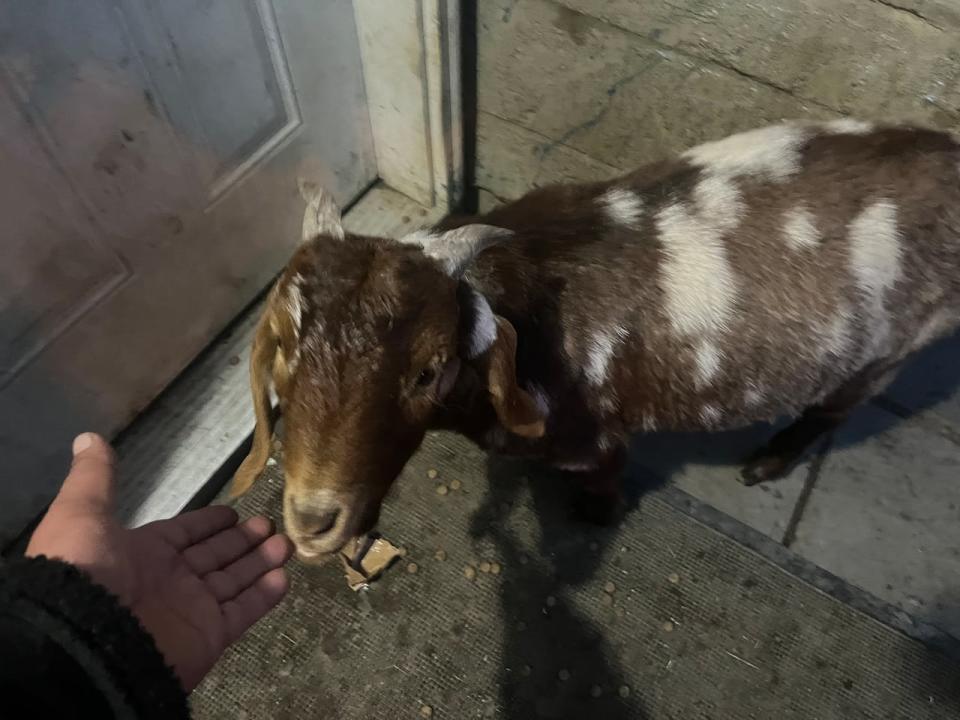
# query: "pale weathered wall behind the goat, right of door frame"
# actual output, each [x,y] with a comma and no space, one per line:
[582,89]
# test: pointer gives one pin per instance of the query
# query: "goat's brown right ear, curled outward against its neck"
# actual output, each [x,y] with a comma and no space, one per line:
[516,409]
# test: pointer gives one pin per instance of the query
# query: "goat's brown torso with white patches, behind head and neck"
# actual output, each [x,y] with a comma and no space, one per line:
[746,279]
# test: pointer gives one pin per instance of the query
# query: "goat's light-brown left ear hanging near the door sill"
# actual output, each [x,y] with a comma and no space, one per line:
[272,360]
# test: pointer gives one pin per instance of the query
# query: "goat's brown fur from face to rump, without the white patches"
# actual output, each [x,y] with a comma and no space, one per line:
[376,313]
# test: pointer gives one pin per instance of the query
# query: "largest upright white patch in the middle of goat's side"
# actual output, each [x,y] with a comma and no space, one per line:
[696,276]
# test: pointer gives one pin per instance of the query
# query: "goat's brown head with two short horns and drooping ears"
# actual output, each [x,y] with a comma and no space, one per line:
[363,338]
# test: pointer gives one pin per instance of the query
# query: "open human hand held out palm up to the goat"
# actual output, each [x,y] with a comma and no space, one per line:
[197,582]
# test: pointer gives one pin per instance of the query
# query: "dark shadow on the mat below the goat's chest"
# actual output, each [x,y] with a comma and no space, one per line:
[590,681]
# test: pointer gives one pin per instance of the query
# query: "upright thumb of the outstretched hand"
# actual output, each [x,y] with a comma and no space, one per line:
[89,485]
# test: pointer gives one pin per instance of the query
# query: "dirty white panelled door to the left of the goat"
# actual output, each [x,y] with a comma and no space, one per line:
[148,162]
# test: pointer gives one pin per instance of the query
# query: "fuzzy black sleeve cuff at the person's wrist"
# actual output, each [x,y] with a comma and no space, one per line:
[90,624]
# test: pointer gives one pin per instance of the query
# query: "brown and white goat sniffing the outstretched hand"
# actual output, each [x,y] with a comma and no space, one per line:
[784,271]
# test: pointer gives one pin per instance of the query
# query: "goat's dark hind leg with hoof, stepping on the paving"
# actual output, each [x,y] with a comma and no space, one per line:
[782,452]
